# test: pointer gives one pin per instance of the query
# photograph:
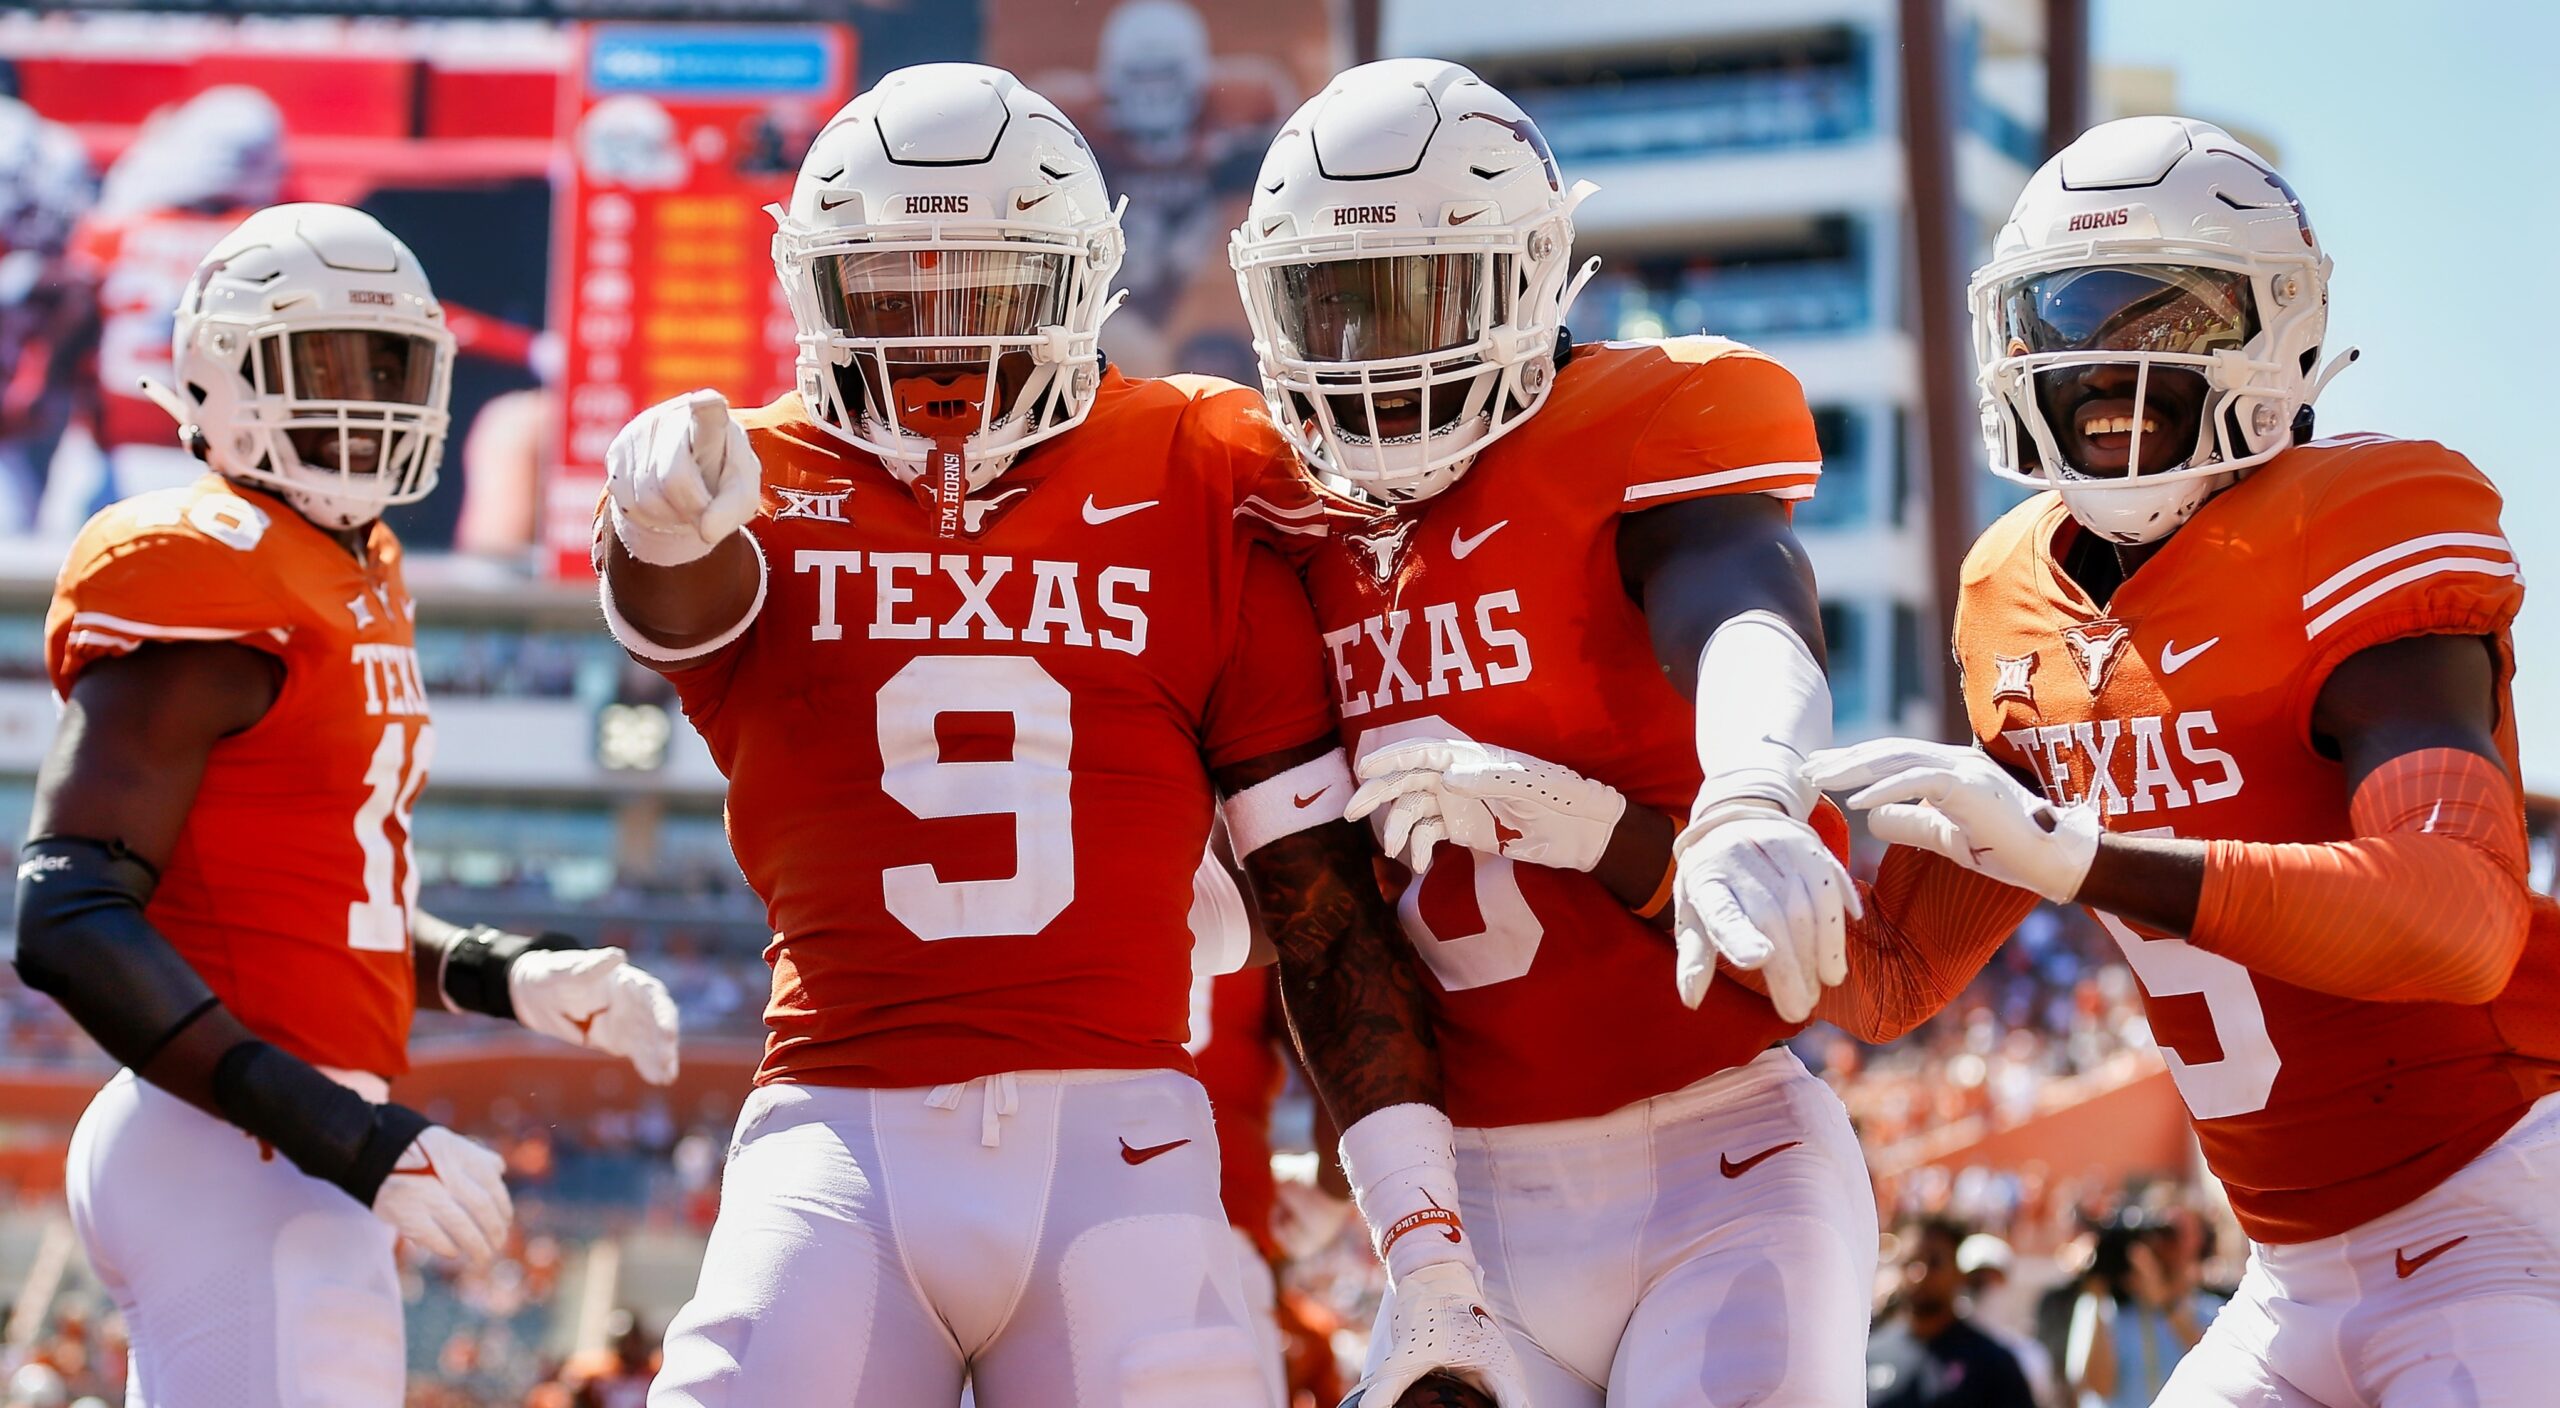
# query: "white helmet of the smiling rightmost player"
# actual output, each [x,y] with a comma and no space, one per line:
[2154,278]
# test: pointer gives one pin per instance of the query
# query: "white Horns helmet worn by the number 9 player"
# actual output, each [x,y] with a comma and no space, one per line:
[948,260]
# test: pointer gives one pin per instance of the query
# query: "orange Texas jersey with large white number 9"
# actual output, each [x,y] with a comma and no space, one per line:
[969,774]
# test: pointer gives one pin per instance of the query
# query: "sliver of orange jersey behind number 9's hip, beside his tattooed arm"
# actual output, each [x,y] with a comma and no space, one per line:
[1238,1053]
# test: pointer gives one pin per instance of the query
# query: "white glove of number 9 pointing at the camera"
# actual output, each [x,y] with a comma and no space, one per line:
[682,480]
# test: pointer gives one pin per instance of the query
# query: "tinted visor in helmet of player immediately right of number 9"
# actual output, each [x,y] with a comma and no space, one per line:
[1379,308]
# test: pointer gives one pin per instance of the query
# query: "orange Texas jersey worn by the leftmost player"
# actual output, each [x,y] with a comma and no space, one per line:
[291,887]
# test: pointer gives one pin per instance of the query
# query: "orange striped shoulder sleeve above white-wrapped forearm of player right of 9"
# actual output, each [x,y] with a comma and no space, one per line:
[1734,424]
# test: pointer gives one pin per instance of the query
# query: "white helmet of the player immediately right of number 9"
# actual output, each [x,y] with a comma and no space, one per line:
[1407,268]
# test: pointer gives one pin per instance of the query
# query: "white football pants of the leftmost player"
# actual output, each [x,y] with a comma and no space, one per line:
[244,1284]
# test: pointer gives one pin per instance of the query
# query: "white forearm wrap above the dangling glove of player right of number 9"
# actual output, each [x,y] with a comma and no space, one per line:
[1763,708]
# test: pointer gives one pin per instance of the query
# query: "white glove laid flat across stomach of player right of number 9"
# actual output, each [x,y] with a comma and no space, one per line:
[1486,800]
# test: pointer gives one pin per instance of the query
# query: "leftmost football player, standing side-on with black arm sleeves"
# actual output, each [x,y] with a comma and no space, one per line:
[221,887]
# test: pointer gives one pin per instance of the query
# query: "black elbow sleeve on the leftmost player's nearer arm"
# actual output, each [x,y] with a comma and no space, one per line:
[83,941]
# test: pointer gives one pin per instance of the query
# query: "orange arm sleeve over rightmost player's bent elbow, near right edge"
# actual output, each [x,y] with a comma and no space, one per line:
[2426,905]
